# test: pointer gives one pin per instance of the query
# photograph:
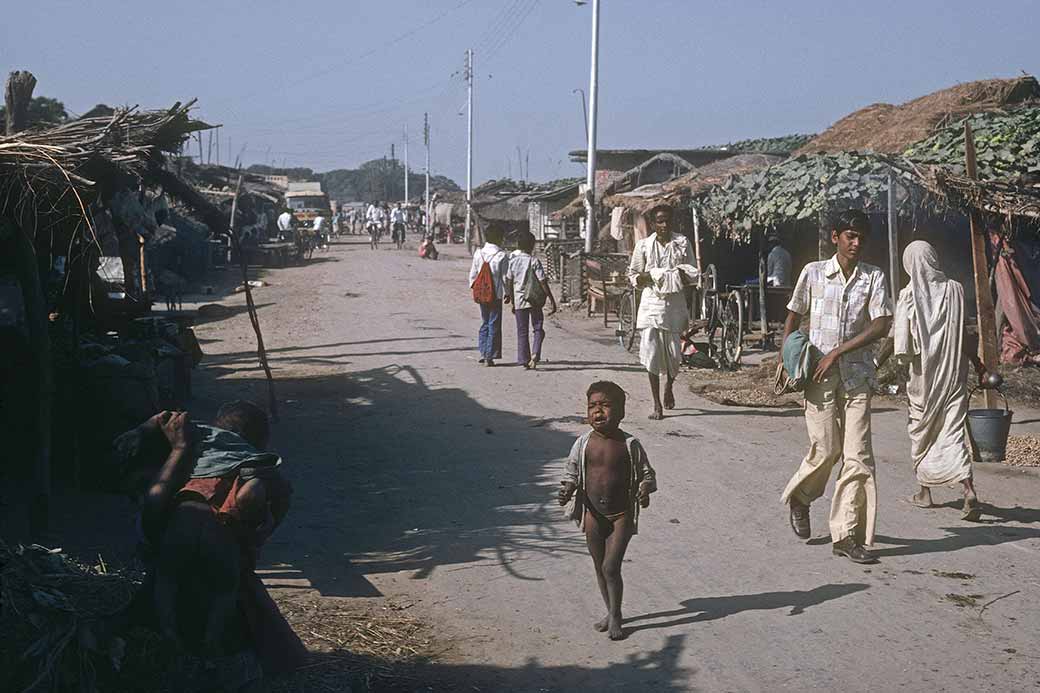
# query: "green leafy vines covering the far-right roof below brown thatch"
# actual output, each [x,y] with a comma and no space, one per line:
[1007,145]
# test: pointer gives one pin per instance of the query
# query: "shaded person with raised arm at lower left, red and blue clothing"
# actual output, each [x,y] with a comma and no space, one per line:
[215,501]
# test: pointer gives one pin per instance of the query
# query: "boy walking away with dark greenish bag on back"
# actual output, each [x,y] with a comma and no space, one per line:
[528,291]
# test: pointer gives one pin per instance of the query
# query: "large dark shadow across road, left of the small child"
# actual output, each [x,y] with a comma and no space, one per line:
[393,477]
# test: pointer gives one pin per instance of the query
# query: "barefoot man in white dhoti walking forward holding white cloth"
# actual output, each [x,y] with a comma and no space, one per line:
[662,267]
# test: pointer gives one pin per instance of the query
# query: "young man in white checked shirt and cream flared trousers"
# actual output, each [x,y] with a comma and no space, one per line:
[848,307]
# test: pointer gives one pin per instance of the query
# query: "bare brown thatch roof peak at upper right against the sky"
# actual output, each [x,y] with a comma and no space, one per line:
[890,130]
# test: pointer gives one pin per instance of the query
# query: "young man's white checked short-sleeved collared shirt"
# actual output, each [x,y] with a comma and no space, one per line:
[840,310]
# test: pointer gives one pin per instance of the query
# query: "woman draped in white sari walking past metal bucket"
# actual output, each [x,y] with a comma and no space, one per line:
[930,340]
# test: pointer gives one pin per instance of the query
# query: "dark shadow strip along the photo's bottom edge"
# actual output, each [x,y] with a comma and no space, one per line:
[342,671]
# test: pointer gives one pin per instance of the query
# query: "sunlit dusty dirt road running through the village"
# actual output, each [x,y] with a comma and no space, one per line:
[426,478]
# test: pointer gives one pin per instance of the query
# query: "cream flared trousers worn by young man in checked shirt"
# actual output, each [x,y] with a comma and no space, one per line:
[840,430]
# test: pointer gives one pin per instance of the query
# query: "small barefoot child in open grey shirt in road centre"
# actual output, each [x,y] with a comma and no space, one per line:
[608,479]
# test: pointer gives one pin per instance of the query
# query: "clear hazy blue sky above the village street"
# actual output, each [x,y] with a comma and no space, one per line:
[330,85]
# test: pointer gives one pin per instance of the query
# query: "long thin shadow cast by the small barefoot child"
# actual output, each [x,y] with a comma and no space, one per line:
[711,609]
